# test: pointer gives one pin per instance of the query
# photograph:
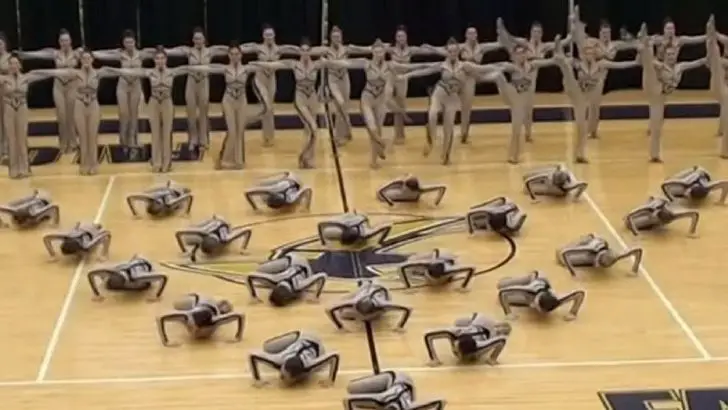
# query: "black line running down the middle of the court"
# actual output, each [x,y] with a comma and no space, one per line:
[374,357]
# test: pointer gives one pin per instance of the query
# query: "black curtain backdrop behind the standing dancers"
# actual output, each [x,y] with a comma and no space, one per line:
[170,22]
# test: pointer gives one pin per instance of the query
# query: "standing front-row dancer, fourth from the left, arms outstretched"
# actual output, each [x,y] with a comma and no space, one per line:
[234,106]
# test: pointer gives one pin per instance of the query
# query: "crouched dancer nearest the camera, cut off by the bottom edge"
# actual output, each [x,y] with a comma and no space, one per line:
[386,390]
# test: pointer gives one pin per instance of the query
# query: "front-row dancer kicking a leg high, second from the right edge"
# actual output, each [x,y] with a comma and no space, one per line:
[661,79]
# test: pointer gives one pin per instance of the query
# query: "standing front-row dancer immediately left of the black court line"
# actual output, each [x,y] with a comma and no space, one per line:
[305,99]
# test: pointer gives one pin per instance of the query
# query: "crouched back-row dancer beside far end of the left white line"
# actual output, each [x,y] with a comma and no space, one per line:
[163,200]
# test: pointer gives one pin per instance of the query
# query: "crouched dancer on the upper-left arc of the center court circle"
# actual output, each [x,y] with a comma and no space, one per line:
[212,237]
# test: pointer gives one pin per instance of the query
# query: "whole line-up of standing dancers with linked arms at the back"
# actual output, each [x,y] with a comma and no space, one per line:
[77,81]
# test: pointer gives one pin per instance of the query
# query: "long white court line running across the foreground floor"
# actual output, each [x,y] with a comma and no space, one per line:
[356,372]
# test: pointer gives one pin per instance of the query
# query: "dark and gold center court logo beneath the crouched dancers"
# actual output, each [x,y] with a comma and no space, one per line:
[410,234]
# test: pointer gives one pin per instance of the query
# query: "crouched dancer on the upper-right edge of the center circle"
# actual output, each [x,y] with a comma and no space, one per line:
[499,214]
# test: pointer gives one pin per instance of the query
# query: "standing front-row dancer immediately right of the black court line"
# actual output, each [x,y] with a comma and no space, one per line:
[377,94]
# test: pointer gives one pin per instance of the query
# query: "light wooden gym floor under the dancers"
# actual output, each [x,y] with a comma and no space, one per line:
[664,329]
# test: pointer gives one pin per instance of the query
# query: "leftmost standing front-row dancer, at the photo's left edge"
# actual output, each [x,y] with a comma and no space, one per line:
[14,87]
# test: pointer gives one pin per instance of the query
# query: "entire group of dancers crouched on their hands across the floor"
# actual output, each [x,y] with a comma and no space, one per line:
[297,355]
